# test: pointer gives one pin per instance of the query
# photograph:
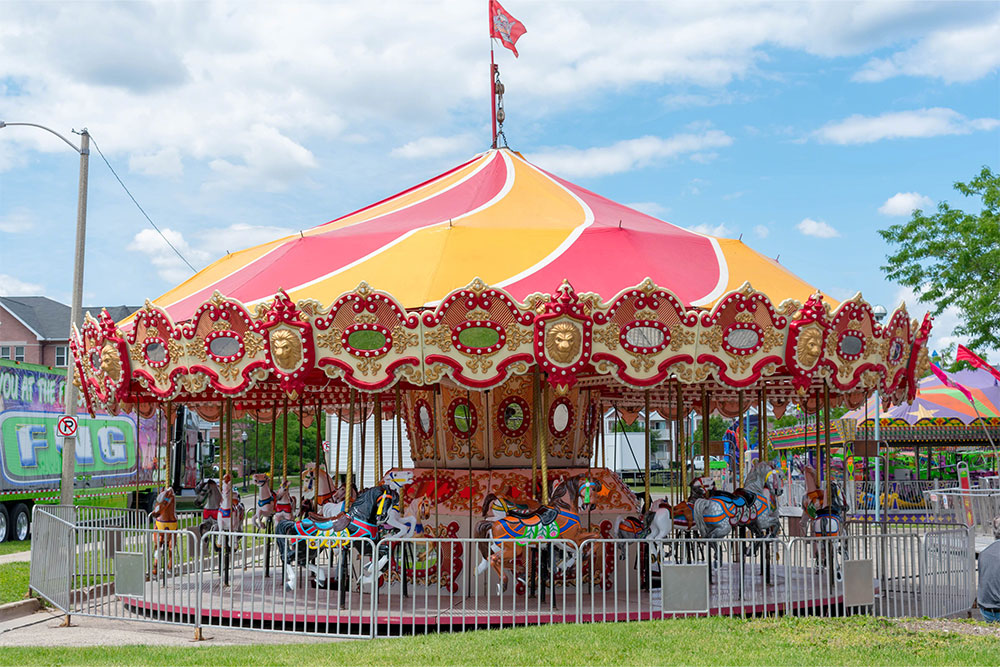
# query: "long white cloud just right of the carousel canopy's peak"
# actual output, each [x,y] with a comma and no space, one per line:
[627,155]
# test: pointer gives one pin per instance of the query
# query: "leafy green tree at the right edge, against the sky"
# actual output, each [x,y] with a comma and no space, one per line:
[952,258]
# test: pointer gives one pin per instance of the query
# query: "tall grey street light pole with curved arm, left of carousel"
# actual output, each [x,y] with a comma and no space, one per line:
[69,444]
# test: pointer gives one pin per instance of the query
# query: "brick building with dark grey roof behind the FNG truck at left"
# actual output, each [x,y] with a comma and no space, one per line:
[35,329]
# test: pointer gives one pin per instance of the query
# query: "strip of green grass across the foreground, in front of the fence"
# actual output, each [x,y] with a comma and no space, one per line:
[706,641]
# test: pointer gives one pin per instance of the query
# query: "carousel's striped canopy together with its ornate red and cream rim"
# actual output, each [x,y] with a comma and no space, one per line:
[482,276]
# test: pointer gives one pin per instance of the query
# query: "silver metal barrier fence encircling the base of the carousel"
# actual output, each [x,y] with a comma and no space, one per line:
[105,565]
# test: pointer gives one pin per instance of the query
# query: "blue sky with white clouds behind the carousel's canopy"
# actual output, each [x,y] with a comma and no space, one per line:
[804,127]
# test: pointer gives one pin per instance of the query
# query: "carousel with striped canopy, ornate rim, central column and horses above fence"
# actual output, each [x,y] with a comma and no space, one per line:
[494,313]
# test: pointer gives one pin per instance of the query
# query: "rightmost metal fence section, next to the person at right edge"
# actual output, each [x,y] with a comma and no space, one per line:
[948,585]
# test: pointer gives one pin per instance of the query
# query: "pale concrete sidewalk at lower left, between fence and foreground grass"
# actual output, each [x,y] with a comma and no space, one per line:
[42,629]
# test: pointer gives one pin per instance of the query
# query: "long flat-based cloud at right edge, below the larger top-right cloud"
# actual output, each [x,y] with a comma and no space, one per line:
[921,123]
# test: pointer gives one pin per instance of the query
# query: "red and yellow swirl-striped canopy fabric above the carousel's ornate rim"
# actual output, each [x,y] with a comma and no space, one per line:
[497,217]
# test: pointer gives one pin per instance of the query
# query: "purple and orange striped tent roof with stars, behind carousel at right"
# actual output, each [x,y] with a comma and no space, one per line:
[938,403]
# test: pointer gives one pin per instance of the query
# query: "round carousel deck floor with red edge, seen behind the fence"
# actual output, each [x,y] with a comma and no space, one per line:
[254,600]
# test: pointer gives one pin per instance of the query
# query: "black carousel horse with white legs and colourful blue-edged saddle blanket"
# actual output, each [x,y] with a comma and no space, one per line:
[304,538]
